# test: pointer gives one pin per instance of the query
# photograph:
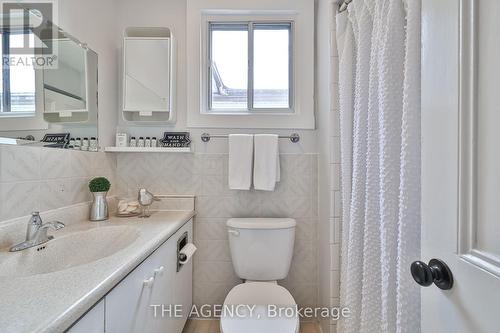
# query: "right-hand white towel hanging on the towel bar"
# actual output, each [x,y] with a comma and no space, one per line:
[266,170]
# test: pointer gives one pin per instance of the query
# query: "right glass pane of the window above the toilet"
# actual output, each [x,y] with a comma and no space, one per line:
[271,65]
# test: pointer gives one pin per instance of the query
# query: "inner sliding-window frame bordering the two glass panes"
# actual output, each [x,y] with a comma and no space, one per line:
[250,28]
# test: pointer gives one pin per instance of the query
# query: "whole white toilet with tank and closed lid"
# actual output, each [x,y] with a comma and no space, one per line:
[261,251]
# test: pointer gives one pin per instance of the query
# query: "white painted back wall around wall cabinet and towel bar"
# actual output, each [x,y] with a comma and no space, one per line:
[172,14]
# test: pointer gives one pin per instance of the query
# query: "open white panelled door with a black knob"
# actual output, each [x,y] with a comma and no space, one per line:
[461,162]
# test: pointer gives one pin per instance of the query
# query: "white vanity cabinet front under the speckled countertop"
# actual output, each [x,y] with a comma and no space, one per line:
[156,281]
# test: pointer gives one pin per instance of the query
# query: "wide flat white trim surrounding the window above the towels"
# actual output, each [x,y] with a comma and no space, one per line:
[301,12]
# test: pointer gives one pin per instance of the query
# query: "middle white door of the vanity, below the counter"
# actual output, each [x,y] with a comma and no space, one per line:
[128,307]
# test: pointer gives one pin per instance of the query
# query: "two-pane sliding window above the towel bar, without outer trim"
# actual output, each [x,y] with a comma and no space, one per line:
[250,67]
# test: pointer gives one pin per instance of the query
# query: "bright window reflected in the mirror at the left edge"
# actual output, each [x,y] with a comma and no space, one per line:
[17,84]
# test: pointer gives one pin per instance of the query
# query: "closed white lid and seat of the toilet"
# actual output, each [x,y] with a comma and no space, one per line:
[262,320]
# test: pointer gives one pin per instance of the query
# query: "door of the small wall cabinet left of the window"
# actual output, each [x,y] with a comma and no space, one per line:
[146,74]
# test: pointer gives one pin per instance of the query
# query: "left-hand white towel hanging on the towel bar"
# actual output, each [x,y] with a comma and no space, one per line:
[240,161]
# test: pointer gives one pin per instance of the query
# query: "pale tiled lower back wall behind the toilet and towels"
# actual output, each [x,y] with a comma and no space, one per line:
[206,176]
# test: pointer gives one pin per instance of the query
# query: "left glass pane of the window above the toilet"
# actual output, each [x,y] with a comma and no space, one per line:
[229,70]
